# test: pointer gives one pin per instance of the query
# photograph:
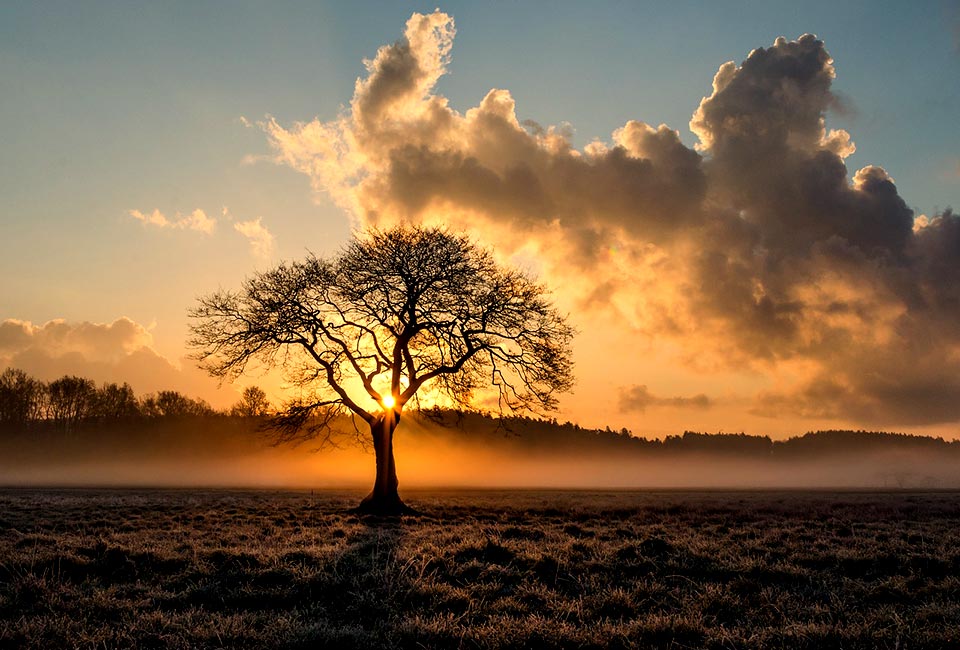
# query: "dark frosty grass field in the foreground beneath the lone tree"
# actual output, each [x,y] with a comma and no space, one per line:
[483,569]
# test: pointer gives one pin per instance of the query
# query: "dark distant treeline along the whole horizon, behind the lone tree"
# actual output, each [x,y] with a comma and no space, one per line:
[75,404]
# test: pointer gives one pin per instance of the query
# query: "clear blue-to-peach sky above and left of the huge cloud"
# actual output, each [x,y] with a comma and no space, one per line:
[111,107]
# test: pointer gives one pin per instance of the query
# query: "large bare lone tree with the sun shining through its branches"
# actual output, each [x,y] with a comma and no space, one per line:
[395,314]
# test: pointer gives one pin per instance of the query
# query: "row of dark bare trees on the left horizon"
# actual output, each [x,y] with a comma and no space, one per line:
[71,401]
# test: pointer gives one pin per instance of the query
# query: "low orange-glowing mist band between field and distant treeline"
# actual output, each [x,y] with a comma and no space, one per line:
[476,453]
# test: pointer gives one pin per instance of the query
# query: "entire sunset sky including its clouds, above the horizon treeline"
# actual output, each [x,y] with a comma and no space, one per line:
[781,256]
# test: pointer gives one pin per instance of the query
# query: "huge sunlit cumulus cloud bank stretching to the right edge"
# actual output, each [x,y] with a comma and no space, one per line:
[757,247]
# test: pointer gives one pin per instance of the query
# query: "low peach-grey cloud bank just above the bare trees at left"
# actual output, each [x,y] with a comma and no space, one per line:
[120,351]
